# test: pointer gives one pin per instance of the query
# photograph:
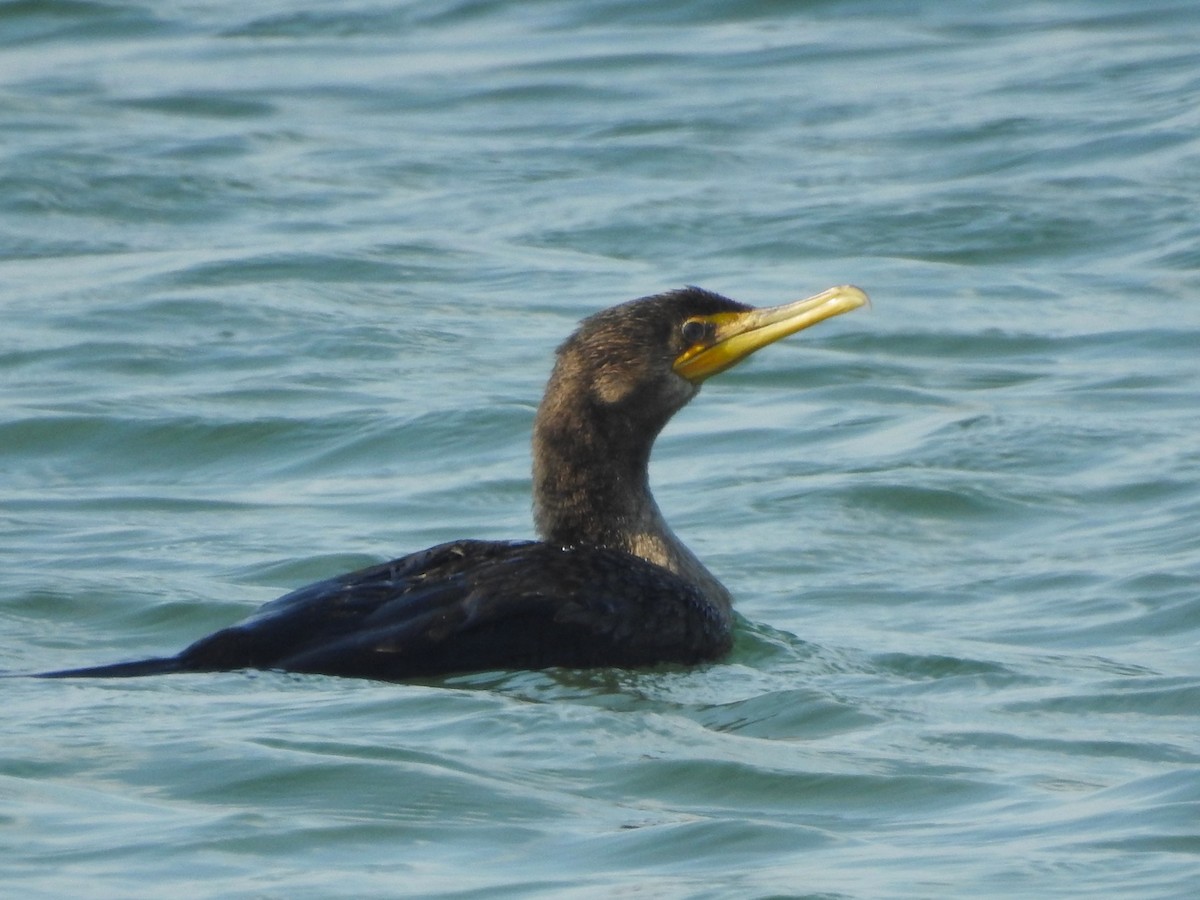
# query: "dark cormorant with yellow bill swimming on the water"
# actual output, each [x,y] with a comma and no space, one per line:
[608,585]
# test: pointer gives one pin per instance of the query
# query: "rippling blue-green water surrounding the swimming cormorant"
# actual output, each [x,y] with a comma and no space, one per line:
[280,287]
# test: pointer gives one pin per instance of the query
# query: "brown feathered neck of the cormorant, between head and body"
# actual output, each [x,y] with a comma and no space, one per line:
[591,487]
